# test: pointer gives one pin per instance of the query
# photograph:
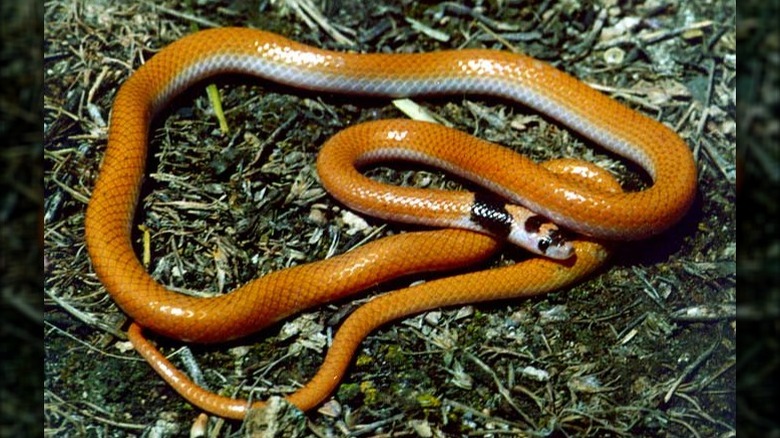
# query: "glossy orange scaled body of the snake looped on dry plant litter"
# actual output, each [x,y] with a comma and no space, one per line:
[564,195]
